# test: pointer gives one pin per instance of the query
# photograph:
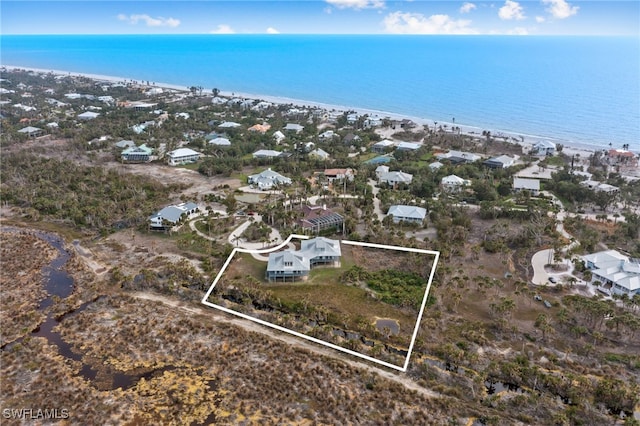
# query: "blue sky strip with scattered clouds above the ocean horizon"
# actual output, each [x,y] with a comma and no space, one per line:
[539,17]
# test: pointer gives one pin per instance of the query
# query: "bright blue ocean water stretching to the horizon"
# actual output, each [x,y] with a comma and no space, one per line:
[584,91]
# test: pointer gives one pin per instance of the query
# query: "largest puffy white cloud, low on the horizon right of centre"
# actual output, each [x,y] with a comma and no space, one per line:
[416,23]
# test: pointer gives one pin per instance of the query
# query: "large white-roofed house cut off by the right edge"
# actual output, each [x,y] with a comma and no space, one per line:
[615,272]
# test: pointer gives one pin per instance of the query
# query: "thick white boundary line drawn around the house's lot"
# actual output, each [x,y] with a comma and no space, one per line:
[313,339]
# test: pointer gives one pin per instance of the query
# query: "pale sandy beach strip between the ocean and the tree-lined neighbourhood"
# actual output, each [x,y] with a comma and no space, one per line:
[526,140]
